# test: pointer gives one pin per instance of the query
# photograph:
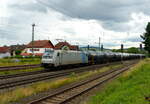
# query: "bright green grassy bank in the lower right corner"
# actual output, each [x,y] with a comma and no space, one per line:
[130,88]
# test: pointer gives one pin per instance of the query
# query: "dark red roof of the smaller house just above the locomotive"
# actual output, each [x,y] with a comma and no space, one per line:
[60,45]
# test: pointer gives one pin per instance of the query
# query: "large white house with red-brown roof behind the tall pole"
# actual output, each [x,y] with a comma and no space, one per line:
[39,47]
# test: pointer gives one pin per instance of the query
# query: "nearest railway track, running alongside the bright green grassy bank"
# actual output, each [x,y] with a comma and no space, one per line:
[65,95]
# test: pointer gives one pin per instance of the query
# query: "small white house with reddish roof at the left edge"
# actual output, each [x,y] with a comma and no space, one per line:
[4,52]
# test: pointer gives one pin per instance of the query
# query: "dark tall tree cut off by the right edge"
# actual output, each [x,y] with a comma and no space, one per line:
[146,38]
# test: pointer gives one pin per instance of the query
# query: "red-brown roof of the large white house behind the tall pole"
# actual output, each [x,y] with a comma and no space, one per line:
[41,44]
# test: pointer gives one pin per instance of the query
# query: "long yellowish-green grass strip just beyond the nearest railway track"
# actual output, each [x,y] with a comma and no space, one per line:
[35,88]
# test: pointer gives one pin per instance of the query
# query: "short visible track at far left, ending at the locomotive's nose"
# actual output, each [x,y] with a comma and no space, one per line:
[18,67]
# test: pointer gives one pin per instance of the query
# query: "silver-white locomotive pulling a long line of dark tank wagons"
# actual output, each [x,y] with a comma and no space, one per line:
[59,58]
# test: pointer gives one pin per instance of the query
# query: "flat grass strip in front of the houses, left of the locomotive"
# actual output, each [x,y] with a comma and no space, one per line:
[23,61]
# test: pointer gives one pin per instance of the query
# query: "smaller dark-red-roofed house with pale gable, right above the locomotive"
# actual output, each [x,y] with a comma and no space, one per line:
[65,46]
